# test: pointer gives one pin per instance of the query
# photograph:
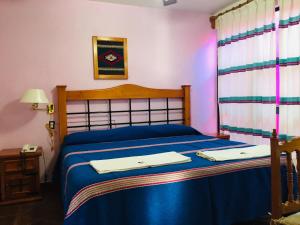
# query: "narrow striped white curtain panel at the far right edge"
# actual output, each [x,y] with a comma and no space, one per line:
[289,54]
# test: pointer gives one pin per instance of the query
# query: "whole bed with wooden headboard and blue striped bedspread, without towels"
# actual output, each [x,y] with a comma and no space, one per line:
[198,192]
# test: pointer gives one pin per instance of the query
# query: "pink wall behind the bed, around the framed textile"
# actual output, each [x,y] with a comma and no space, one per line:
[45,43]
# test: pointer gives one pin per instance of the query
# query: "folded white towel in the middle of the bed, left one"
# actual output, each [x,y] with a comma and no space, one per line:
[138,162]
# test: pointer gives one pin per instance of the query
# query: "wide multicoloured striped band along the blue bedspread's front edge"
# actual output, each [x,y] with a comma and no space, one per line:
[106,187]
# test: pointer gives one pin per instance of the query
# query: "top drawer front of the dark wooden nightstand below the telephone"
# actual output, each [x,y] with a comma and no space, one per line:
[11,166]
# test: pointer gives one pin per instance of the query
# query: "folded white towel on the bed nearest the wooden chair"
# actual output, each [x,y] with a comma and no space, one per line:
[236,153]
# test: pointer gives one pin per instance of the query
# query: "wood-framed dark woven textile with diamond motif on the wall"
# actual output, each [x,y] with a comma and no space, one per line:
[110,58]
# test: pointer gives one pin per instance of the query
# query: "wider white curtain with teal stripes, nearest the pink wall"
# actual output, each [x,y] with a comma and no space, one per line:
[247,72]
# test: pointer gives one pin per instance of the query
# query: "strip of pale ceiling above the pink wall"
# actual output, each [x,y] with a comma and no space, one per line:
[206,6]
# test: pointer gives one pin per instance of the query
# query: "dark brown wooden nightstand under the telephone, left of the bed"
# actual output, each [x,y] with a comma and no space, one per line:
[19,176]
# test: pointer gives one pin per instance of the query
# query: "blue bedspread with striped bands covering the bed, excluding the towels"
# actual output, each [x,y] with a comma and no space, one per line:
[200,192]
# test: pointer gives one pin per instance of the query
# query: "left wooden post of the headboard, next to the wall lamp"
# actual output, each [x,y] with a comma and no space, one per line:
[62,111]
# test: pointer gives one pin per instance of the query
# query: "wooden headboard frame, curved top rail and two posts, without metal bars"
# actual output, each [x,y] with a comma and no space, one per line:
[122,92]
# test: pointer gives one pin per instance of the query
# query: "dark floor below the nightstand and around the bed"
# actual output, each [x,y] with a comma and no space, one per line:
[49,211]
